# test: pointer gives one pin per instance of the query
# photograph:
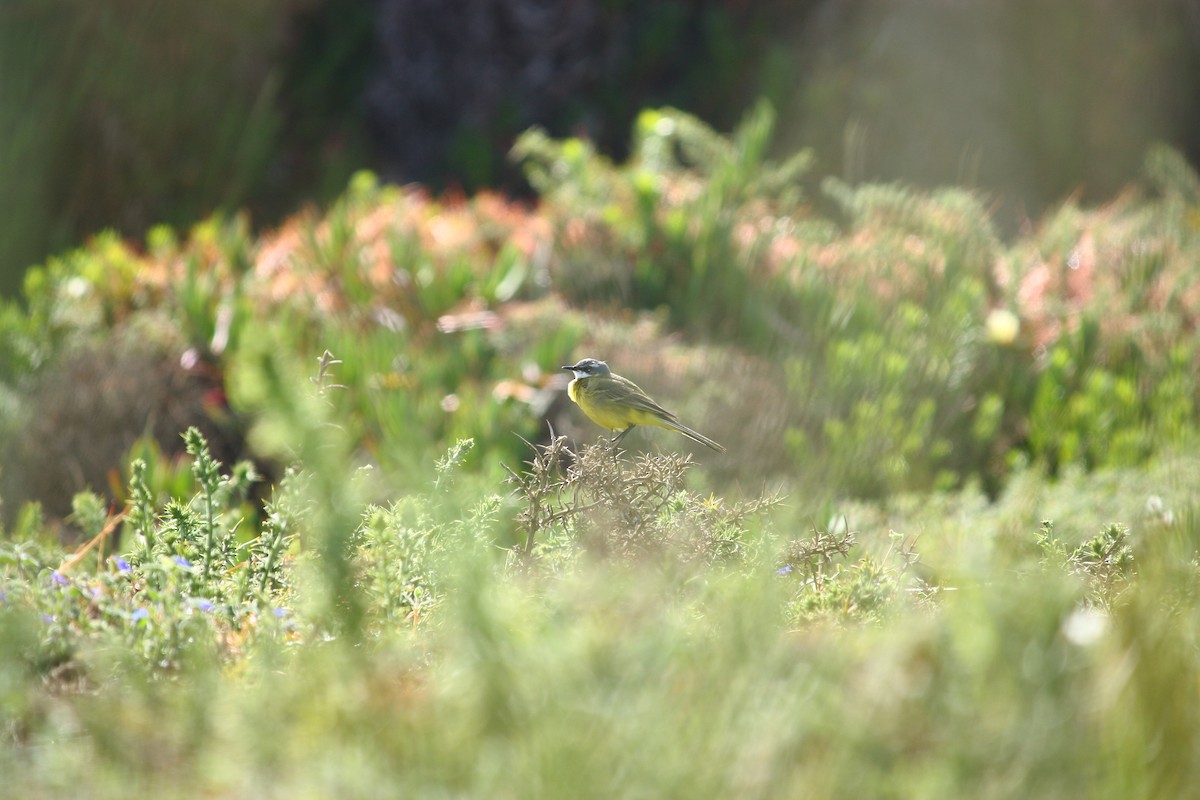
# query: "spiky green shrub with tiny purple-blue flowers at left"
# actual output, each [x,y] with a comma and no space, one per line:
[184,580]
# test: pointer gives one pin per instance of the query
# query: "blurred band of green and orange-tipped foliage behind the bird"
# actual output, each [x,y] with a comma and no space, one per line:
[897,345]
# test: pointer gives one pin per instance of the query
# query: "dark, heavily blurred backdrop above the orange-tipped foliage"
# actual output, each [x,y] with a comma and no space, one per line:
[141,113]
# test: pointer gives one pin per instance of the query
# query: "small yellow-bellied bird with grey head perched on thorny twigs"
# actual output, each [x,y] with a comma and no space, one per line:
[619,404]
